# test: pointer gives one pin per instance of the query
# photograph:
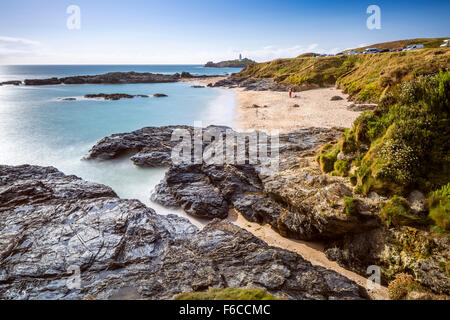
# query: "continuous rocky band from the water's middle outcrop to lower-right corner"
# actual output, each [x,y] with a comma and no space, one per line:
[299,202]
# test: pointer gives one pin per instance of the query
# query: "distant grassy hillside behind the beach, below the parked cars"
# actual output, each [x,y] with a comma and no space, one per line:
[365,77]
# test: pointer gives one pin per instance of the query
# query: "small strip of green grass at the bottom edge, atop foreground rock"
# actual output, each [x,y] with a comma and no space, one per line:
[227,294]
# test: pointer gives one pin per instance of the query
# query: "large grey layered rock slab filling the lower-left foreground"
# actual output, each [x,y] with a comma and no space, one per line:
[53,224]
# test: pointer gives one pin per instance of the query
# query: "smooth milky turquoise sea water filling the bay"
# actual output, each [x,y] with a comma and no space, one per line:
[37,128]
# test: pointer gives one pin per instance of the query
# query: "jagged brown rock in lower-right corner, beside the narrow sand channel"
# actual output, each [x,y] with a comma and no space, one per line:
[396,251]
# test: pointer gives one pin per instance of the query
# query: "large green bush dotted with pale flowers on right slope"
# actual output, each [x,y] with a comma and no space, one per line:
[409,141]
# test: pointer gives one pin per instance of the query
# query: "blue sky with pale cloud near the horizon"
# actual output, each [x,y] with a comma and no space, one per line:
[147,31]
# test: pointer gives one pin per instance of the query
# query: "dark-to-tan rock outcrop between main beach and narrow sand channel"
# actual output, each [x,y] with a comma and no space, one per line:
[298,200]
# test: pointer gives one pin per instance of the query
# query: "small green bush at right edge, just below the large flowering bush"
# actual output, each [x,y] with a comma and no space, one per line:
[439,204]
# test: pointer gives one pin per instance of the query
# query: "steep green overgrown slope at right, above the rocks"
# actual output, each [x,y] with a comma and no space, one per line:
[401,146]
